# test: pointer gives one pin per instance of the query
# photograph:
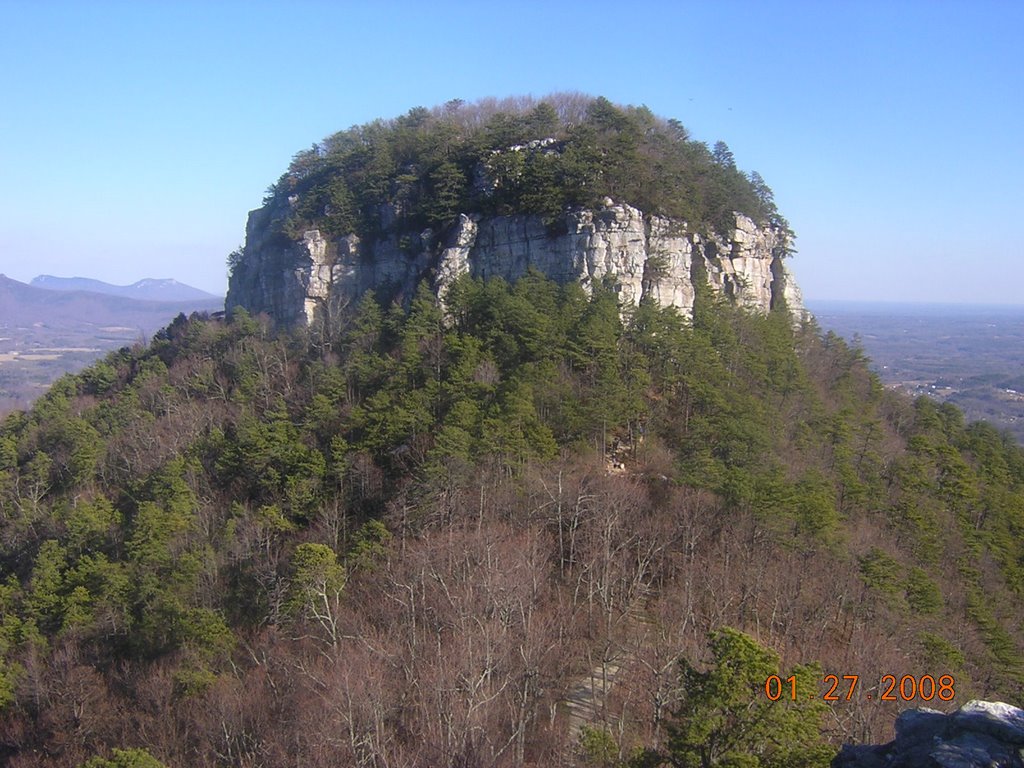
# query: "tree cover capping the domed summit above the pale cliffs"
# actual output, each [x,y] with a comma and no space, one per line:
[514,156]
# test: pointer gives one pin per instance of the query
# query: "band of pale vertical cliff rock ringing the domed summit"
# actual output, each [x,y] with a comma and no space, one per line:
[305,281]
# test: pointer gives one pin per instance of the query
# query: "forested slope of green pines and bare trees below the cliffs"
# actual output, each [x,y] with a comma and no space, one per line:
[409,543]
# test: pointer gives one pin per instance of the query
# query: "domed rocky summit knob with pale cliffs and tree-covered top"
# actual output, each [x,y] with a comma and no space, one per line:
[576,189]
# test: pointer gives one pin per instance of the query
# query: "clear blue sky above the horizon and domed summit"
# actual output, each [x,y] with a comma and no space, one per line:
[136,137]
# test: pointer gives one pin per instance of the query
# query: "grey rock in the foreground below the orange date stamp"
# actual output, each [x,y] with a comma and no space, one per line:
[980,735]
